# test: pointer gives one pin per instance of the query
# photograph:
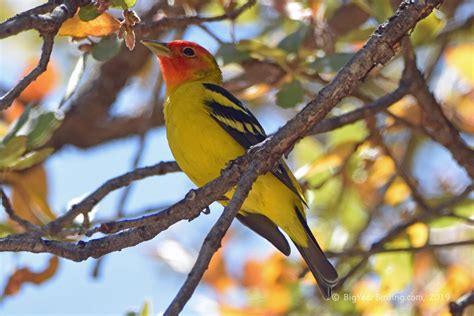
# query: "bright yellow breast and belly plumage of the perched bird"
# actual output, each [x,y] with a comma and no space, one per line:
[202,149]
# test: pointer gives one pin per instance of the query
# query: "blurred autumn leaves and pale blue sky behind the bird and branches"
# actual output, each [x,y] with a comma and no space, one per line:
[355,189]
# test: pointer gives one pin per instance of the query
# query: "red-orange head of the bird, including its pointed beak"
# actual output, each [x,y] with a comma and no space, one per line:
[184,61]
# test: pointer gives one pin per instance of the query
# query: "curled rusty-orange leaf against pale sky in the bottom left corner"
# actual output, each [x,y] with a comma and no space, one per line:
[25,275]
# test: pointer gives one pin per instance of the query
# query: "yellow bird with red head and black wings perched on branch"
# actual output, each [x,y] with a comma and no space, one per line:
[207,127]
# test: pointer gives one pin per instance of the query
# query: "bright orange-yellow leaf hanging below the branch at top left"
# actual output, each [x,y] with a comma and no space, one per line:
[103,25]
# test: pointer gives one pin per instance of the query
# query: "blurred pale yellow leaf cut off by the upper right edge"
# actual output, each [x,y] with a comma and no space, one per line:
[460,57]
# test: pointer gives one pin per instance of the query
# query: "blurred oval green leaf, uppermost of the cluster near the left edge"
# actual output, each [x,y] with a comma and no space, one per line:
[44,126]
